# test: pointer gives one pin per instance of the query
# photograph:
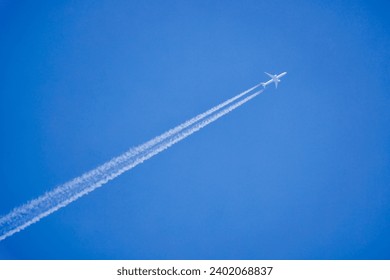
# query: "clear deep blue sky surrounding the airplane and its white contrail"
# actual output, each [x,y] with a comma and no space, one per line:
[301,172]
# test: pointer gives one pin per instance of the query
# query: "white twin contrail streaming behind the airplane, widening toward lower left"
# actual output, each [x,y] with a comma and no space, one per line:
[34,210]
